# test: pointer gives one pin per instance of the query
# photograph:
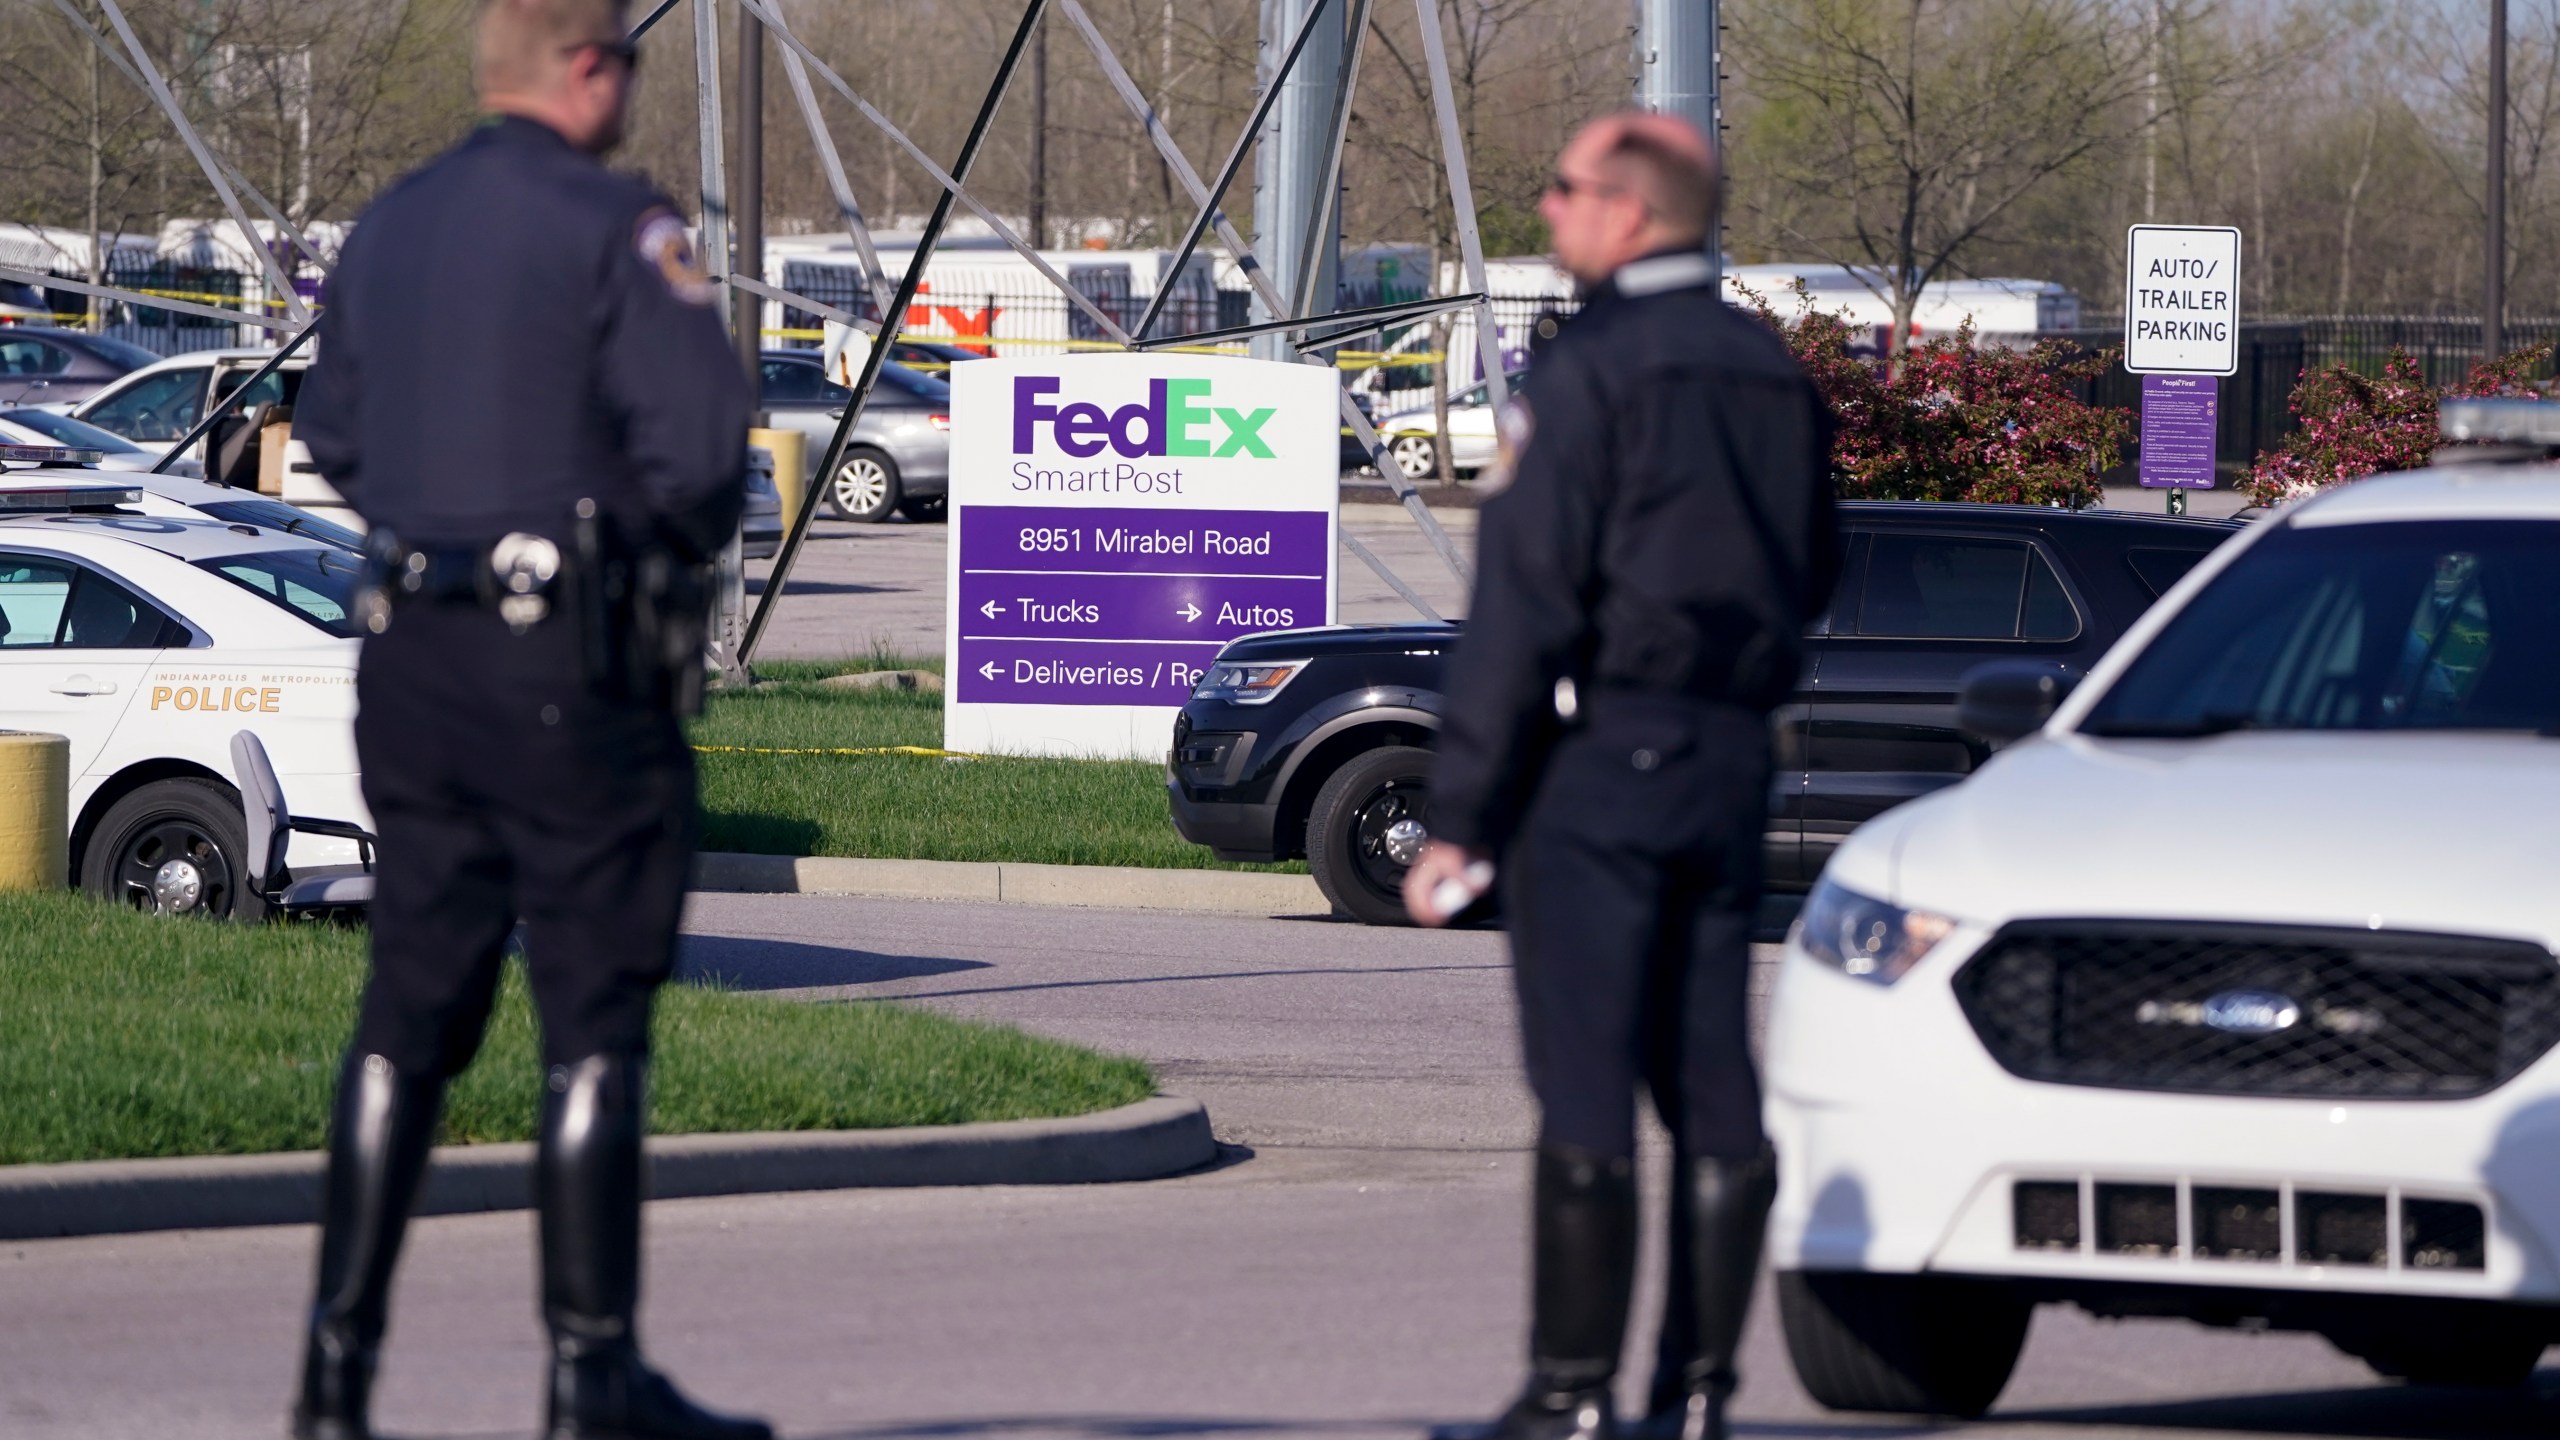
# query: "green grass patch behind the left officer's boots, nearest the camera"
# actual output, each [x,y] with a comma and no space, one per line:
[137,1036]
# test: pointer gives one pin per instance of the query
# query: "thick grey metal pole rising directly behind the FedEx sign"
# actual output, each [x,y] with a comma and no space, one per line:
[1294,165]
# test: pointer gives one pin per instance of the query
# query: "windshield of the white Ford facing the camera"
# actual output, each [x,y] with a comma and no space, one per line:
[2385,626]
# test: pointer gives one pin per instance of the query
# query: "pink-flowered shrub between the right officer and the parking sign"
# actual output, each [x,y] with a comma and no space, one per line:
[1955,421]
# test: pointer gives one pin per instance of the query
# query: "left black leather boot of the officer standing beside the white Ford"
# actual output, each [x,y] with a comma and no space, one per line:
[1581,1277]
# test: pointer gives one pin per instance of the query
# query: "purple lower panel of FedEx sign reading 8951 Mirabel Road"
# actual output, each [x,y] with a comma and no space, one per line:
[1125,606]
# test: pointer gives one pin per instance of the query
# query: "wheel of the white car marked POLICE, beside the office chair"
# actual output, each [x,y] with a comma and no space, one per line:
[175,847]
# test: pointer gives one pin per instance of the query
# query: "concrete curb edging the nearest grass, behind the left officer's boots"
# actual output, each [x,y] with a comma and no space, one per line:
[1138,1141]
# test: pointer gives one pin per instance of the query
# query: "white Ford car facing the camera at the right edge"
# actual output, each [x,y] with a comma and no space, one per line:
[2228,993]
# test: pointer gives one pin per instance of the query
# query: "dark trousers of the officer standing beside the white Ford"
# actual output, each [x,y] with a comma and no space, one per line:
[1632,893]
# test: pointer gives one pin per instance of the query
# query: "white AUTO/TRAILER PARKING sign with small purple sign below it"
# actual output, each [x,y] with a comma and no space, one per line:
[2182,334]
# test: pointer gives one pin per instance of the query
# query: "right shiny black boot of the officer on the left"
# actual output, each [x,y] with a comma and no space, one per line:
[588,1180]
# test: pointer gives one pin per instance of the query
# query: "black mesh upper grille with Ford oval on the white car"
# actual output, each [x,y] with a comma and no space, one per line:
[2259,1008]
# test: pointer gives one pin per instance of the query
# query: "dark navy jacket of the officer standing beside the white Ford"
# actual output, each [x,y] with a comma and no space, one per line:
[1668,529]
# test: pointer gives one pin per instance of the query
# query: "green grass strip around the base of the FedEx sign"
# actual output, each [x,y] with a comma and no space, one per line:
[918,808]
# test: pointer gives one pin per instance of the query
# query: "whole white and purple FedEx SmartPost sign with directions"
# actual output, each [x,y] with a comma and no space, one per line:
[1112,524]
